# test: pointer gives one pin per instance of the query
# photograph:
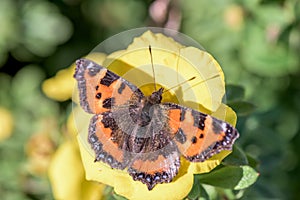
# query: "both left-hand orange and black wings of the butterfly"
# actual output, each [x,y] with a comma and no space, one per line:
[110,98]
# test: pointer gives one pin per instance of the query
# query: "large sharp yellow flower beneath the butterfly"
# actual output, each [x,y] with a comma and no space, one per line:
[173,64]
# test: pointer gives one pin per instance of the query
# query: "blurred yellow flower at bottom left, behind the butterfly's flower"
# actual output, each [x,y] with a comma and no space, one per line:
[66,172]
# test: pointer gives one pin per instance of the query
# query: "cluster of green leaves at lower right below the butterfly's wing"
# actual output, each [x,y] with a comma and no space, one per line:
[235,173]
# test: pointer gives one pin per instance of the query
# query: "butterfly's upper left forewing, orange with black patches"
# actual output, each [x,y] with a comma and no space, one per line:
[101,89]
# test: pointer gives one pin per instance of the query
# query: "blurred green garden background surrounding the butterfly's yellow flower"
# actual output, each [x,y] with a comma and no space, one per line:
[257,43]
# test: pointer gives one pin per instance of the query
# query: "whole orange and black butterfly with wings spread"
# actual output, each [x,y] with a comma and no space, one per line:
[137,132]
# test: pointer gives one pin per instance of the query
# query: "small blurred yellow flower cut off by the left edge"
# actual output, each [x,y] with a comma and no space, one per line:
[6,120]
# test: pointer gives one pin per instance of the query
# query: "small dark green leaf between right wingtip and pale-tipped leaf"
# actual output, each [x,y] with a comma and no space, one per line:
[237,157]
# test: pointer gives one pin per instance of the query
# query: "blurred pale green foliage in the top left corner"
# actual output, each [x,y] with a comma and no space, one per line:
[32,28]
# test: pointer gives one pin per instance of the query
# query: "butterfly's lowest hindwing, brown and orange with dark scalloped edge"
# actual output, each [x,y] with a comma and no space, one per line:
[158,162]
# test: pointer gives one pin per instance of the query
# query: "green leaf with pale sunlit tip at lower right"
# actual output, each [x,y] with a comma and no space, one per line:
[230,177]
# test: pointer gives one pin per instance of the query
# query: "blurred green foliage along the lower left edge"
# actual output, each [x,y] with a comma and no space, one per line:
[31,110]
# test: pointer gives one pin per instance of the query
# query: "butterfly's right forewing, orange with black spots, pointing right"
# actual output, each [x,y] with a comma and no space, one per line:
[199,136]
